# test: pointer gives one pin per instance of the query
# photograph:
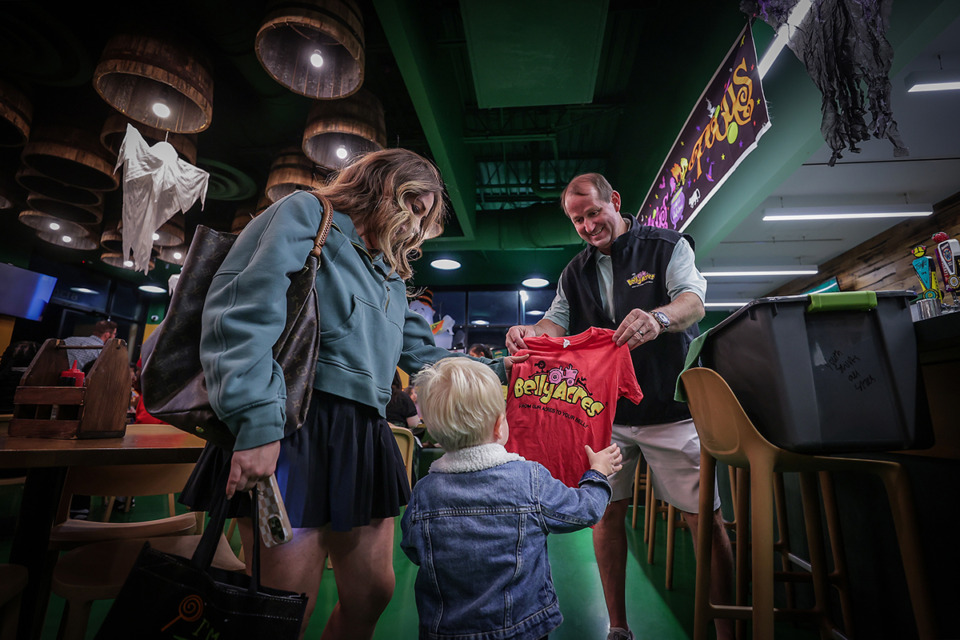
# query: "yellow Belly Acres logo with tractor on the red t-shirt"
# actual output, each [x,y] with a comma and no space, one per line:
[560,391]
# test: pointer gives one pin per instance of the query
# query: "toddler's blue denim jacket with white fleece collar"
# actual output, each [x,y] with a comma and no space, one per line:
[477,526]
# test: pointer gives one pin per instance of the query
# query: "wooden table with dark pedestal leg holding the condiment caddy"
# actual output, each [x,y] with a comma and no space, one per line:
[45,461]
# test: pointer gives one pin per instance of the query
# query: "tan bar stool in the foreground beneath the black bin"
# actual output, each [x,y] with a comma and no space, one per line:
[728,435]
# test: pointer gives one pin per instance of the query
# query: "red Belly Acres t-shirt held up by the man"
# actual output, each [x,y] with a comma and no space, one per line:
[565,396]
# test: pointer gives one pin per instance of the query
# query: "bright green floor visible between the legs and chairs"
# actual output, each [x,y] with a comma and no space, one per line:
[654,613]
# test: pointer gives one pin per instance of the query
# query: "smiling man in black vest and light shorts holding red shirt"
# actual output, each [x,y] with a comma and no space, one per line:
[642,282]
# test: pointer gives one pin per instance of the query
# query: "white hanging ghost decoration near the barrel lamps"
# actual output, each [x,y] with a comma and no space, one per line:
[156,185]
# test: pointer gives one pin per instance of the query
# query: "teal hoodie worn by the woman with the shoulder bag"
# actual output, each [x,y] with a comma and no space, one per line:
[367,328]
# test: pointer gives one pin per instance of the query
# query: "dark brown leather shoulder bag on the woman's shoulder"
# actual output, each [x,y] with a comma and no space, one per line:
[172,382]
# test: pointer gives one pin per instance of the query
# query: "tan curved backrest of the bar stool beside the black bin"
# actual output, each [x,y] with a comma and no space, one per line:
[725,430]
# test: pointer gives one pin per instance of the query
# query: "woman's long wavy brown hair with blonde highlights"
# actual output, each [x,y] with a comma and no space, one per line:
[373,192]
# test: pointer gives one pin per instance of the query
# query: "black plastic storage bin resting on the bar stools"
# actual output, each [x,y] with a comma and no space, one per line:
[826,373]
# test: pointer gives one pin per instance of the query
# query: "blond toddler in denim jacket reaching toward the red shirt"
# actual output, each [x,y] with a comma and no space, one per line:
[484,508]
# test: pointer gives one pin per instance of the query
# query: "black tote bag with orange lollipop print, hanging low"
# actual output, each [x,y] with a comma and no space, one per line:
[169,597]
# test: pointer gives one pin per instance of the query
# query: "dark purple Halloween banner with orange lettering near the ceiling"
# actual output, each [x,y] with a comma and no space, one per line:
[720,132]
